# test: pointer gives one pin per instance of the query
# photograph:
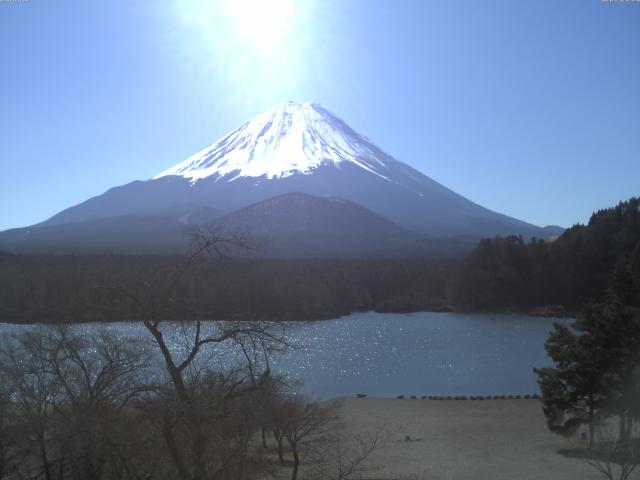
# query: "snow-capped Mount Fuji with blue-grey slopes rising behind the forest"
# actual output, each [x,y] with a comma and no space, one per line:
[295,147]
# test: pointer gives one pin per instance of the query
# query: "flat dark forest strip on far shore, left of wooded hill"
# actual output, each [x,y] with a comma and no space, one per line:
[75,288]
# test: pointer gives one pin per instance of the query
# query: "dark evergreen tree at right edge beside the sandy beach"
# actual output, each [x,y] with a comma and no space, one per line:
[597,358]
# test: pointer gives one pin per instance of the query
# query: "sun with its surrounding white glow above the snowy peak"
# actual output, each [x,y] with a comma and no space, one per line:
[266,51]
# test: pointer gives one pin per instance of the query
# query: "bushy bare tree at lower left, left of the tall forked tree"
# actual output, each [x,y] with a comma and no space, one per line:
[98,377]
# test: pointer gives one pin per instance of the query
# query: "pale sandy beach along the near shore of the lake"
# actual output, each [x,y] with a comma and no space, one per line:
[463,440]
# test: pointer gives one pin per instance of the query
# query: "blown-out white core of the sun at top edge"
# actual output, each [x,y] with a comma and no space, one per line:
[262,24]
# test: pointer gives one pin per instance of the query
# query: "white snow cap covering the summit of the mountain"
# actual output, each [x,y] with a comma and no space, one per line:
[291,138]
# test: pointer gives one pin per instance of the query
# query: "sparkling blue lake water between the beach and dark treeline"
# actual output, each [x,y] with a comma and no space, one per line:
[418,354]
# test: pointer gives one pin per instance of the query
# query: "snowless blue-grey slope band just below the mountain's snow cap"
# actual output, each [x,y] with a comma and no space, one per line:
[425,206]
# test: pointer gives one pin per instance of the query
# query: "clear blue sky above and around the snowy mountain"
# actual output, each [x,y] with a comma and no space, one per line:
[530,108]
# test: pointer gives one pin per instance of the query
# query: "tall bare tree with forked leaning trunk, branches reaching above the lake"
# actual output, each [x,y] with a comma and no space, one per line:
[196,405]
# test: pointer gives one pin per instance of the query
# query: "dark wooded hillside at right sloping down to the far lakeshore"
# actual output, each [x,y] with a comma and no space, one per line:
[509,273]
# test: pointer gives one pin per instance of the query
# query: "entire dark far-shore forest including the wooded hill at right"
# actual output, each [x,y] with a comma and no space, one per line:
[501,274]
